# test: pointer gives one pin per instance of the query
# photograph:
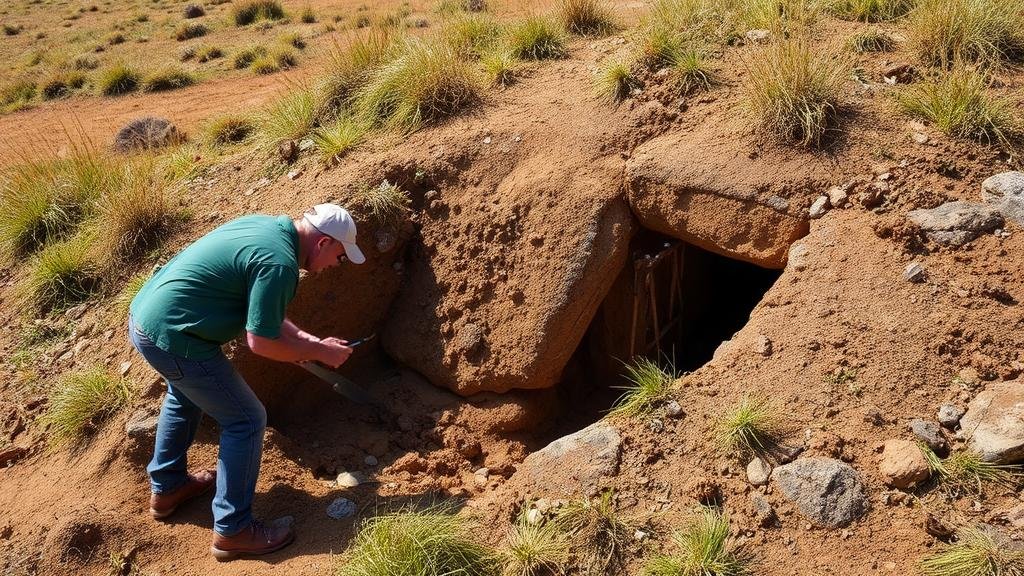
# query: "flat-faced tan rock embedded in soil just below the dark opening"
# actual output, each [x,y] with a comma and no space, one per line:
[576,461]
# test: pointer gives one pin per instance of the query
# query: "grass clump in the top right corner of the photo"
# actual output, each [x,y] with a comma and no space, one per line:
[990,32]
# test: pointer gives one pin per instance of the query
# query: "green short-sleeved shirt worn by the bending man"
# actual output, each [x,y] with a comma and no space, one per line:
[240,276]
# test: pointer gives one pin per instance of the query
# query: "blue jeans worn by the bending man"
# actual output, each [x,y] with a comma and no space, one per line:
[214,387]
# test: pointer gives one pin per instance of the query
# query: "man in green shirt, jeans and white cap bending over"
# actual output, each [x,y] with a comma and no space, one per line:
[240,277]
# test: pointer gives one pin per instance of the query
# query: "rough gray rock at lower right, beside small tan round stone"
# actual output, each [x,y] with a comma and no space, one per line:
[826,491]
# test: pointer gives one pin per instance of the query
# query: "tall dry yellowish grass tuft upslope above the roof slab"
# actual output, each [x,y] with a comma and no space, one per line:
[794,92]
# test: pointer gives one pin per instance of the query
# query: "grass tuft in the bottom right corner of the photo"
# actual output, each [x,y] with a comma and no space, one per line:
[975,553]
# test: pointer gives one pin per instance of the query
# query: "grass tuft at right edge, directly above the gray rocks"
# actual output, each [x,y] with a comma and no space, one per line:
[959,104]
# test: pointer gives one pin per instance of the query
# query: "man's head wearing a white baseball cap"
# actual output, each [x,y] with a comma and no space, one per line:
[333,240]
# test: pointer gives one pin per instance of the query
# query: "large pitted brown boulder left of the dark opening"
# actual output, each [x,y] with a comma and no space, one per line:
[509,275]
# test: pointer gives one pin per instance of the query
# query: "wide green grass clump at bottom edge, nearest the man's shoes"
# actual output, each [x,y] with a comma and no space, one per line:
[432,543]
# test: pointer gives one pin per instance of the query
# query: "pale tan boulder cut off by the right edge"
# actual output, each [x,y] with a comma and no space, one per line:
[995,423]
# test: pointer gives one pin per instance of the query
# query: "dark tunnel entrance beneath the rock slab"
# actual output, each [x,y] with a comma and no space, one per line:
[673,303]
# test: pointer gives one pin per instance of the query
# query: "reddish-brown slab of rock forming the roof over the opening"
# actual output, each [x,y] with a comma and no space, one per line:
[722,203]
